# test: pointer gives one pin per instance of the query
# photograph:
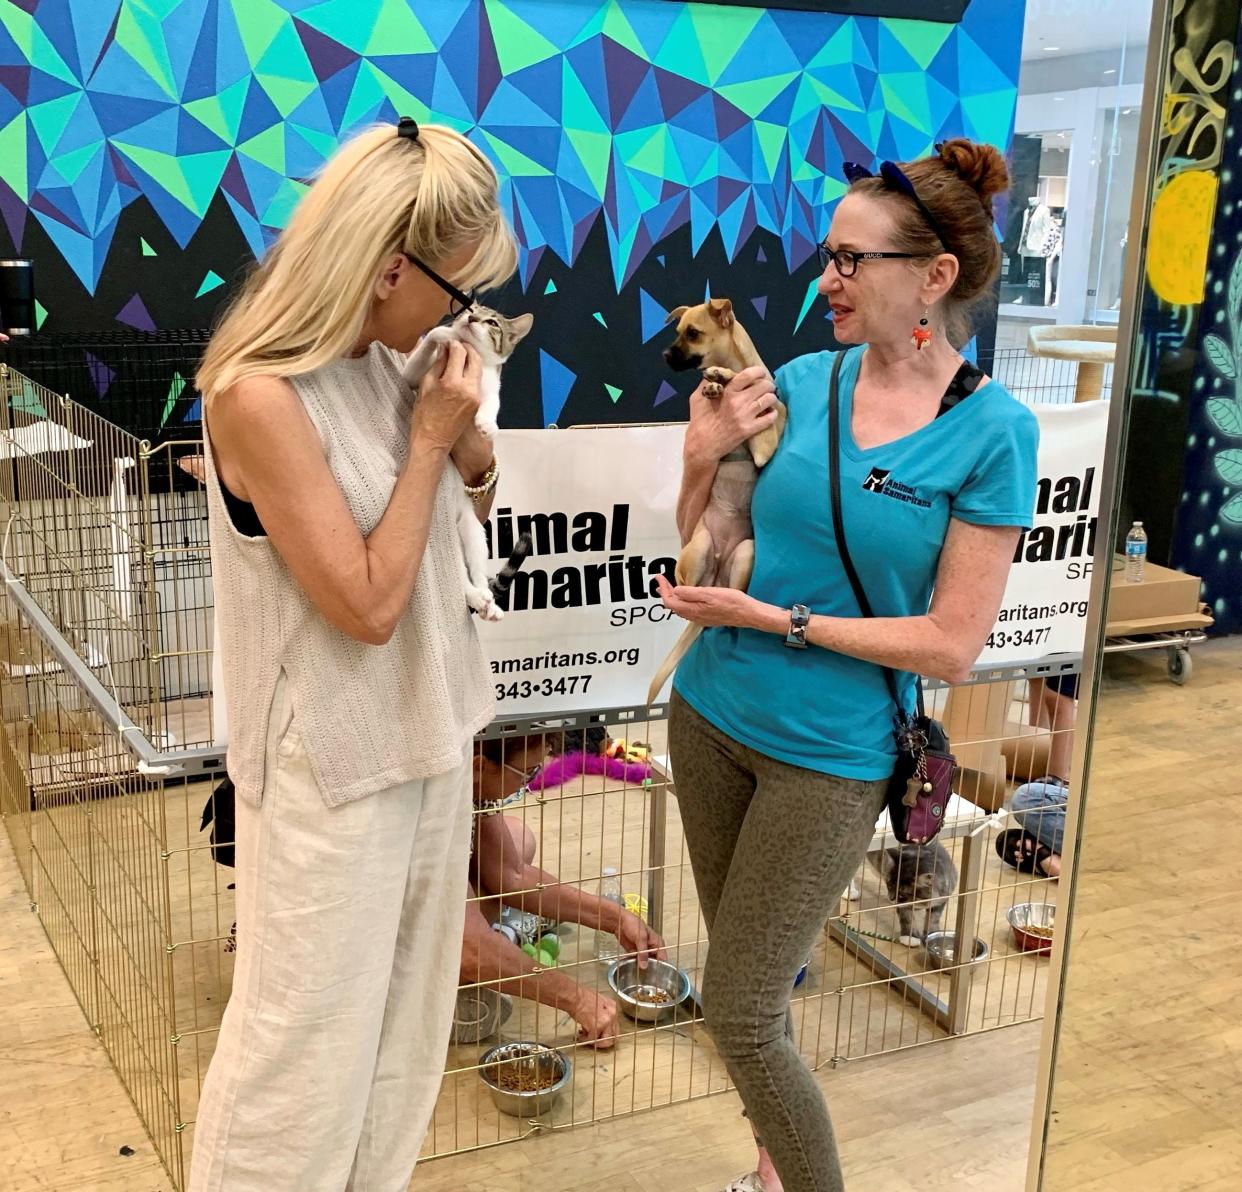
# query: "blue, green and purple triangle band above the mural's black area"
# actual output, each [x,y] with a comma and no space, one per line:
[650,117]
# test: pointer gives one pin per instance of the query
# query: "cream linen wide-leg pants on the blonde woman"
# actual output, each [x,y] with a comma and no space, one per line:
[350,928]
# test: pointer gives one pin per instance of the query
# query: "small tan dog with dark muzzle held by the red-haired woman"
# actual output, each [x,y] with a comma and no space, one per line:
[722,549]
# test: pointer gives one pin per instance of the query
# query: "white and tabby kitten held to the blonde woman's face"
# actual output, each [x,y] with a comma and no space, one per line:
[494,337]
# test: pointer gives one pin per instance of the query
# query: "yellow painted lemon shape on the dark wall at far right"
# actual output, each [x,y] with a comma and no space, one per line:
[1182,232]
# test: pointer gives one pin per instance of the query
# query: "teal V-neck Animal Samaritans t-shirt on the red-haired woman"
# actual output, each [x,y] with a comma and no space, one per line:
[817,708]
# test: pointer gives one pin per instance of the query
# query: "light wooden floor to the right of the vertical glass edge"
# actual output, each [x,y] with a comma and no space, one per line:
[1148,1093]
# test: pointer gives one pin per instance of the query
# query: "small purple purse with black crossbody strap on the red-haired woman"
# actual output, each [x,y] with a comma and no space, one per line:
[922,783]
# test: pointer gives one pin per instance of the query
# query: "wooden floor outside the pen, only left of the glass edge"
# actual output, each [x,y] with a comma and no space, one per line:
[64,1117]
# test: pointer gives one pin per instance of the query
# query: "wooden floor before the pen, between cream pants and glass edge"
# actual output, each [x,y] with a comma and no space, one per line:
[976,1139]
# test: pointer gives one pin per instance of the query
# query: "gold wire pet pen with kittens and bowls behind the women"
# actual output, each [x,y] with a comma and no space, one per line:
[109,761]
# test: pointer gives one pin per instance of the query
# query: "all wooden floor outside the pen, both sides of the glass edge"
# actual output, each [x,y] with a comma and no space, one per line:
[1149,1087]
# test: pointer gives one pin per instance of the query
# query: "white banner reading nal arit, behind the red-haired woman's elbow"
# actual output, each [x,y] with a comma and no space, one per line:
[1045,607]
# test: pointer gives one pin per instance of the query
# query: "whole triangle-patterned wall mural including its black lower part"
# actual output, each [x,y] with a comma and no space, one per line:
[650,152]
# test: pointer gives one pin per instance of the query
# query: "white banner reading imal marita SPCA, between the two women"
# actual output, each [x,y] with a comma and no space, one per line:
[586,628]
